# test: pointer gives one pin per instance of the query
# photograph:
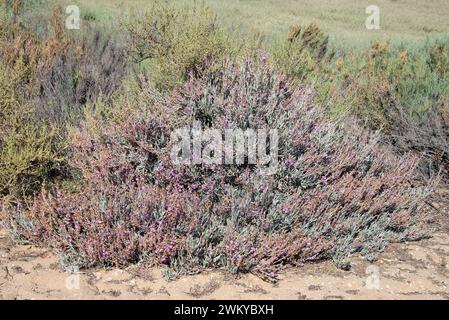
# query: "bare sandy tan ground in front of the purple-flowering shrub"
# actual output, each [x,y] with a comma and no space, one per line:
[416,270]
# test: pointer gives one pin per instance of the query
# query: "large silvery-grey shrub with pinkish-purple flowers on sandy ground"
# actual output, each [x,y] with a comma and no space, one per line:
[336,189]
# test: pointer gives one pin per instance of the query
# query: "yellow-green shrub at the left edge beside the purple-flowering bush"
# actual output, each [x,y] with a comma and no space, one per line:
[30,150]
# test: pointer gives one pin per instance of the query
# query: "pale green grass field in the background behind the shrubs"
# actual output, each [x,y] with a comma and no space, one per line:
[343,20]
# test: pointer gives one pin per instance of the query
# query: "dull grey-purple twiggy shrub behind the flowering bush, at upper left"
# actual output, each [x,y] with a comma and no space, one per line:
[86,71]
